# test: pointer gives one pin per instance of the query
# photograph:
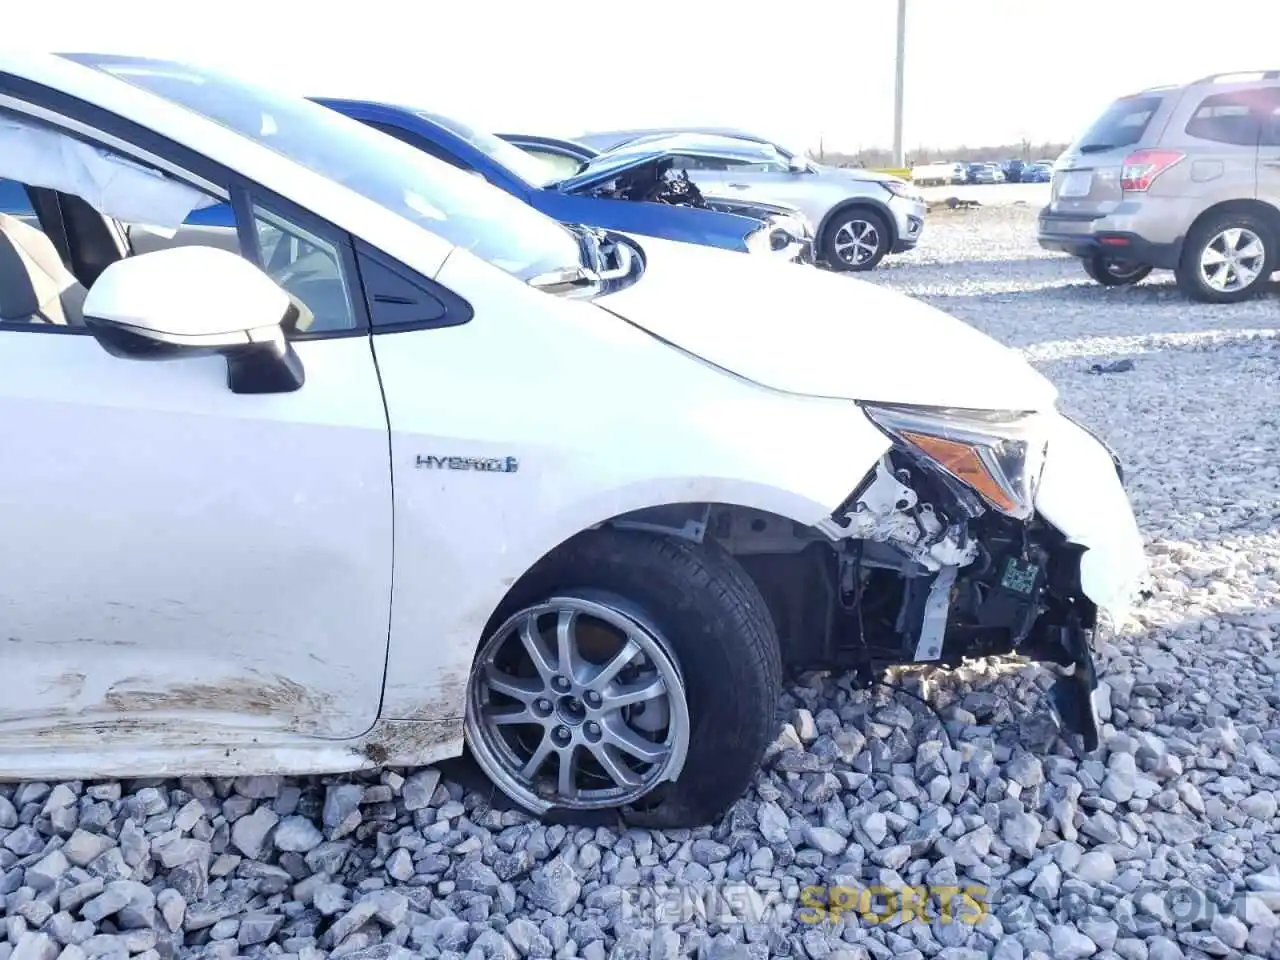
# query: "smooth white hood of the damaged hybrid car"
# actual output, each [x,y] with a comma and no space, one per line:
[804,331]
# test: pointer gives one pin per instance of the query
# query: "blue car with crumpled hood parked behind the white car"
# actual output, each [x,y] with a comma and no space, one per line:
[651,200]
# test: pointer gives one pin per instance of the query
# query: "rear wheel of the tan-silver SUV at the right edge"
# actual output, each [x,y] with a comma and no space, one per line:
[1227,259]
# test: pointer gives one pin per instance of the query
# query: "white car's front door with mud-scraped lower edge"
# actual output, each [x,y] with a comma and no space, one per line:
[184,565]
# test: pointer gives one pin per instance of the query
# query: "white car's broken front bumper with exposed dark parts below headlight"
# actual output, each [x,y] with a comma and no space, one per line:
[975,583]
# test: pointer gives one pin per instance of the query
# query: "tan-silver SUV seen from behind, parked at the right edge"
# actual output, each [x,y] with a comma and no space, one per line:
[1177,179]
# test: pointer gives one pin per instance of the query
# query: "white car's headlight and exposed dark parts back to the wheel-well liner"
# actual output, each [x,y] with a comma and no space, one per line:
[934,559]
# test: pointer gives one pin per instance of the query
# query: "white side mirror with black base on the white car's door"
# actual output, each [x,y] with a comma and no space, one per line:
[198,301]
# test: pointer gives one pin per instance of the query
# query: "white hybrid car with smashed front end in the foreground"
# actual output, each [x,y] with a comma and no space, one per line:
[413,467]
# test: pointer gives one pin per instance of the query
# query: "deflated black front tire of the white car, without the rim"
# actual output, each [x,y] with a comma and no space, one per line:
[720,629]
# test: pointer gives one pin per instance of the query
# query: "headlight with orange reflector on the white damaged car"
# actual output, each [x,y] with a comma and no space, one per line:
[999,455]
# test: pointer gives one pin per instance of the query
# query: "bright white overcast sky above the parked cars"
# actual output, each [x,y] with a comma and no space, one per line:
[986,72]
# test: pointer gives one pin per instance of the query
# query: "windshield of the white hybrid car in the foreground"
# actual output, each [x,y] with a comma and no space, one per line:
[451,204]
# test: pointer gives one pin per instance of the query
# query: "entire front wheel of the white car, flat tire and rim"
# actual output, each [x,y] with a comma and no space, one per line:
[633,671]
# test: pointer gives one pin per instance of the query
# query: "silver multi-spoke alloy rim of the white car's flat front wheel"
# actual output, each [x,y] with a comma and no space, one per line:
[578,703]
